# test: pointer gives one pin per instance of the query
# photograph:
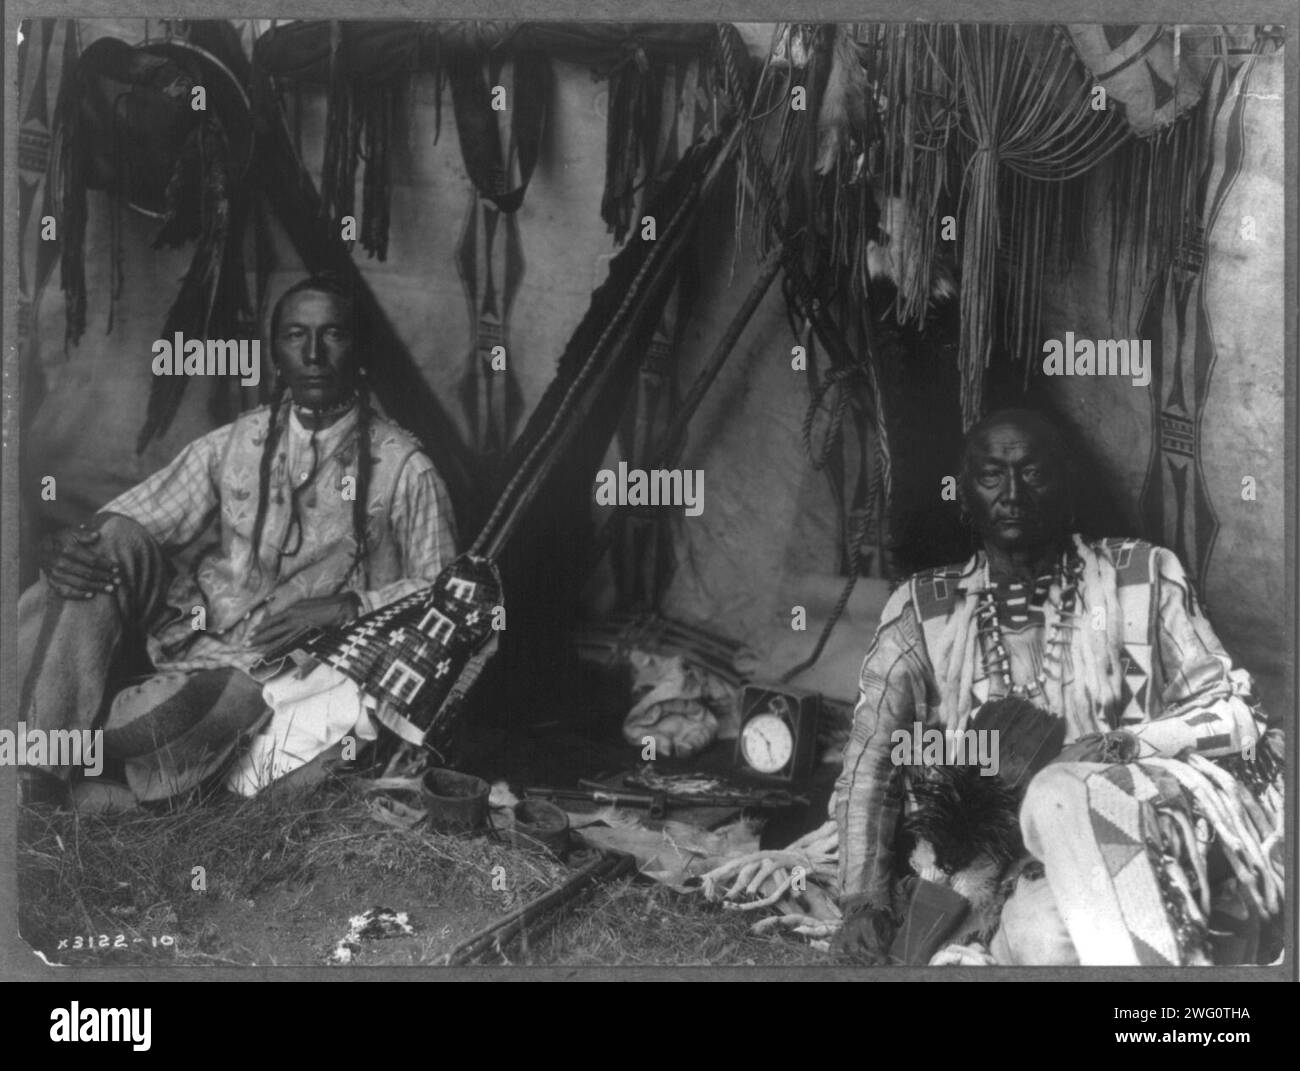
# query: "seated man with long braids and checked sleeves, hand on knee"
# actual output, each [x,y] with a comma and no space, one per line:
[323,511]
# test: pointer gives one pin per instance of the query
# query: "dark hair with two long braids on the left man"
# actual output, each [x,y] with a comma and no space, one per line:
[335,288]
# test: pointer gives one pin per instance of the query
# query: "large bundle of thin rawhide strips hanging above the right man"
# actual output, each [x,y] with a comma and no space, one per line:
[1016,109]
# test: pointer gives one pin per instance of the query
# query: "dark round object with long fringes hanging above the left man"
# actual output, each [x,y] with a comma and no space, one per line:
[125,125]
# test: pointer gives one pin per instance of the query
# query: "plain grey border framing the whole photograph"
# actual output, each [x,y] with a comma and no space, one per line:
[19,961]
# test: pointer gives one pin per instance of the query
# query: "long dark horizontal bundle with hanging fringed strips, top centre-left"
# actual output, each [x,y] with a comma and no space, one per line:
[366,60]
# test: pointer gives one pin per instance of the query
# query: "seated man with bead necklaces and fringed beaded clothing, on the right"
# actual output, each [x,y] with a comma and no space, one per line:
[1106,635]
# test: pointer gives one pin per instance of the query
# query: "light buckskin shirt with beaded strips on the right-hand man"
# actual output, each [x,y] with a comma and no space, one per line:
[1172,683]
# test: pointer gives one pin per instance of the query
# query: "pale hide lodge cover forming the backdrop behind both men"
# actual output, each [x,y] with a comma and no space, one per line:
[456,276]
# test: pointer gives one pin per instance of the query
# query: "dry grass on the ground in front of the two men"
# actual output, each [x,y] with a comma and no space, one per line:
[285,873]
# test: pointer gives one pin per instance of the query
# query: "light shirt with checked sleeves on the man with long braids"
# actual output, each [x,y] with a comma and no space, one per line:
[202,508]
